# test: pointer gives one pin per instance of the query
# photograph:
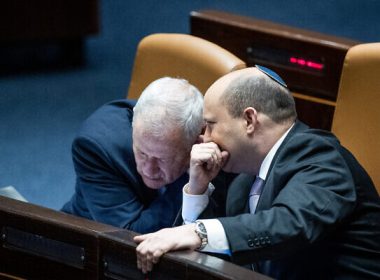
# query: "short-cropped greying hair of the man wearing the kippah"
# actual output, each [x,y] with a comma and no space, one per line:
[262,93]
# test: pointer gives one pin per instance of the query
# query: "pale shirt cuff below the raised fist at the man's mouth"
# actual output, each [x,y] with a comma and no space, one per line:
[193,205]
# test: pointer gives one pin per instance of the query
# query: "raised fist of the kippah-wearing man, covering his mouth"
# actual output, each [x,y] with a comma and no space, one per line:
[205,163]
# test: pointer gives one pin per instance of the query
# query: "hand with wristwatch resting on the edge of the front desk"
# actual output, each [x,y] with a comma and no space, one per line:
[153,245]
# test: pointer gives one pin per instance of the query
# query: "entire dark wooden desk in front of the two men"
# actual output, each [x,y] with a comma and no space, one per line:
[40,243]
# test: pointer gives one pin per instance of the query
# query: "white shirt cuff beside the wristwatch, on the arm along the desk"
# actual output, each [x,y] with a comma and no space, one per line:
[216,237]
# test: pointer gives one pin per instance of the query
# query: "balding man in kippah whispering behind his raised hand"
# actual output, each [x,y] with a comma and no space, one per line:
[302,206]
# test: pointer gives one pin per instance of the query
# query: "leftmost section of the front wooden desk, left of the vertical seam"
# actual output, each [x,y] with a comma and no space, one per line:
[41,243]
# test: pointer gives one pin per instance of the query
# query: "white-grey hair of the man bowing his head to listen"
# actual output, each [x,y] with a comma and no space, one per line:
[170,104]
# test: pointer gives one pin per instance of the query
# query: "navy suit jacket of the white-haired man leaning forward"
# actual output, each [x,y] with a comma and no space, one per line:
[108,187]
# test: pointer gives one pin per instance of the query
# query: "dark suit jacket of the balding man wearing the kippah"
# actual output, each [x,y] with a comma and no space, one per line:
[318,216]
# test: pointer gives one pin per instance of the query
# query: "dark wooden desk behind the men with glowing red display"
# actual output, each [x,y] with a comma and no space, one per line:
[309,62]
